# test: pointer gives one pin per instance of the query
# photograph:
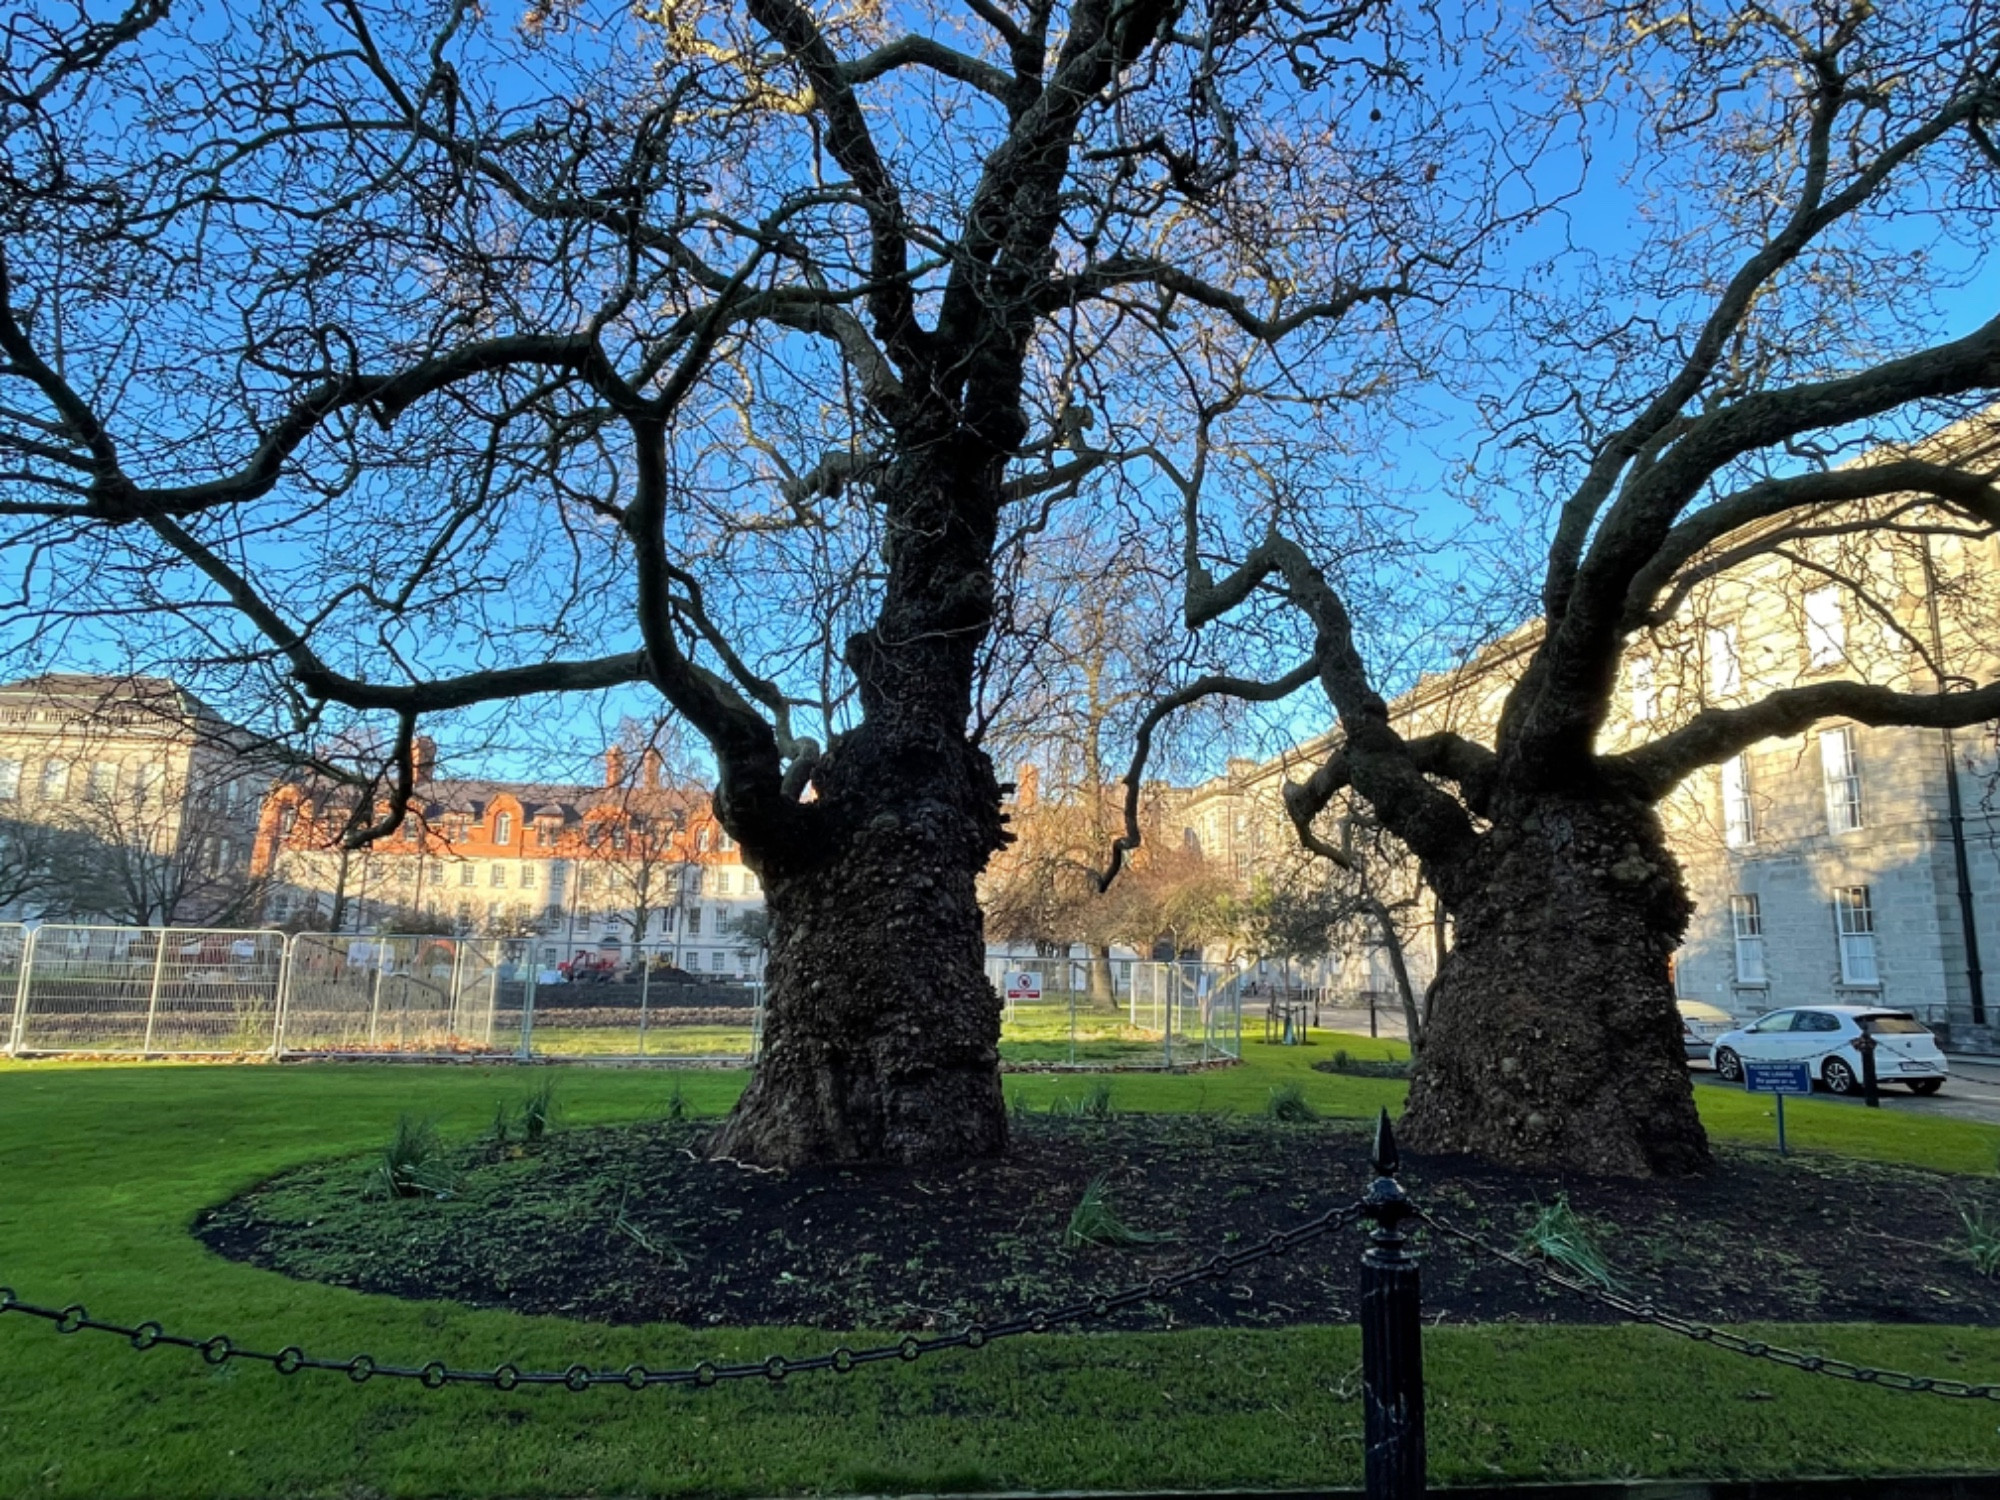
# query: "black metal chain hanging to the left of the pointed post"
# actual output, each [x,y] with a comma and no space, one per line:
[637,1377]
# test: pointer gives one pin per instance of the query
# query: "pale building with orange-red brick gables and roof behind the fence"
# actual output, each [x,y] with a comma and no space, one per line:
[597,871]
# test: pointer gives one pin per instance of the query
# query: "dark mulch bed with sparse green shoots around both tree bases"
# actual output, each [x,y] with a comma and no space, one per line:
[629,1225]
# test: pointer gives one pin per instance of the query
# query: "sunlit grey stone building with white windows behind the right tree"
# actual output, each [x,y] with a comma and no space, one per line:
[1845,865]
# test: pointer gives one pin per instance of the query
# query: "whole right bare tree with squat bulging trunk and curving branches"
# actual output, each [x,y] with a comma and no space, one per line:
[1735,391]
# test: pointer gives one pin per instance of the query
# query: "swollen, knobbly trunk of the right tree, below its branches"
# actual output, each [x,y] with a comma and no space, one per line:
[1553,1037]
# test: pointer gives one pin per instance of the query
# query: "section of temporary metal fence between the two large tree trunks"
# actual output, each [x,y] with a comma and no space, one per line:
[1097,1013]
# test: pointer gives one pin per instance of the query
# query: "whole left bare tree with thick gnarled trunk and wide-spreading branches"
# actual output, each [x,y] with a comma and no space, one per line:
[723,355]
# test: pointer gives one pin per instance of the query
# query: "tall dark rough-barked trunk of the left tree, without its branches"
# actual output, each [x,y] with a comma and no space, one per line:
[881,1027]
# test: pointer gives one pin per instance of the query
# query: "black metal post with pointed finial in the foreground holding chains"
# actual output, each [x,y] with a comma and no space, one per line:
[1393,1339]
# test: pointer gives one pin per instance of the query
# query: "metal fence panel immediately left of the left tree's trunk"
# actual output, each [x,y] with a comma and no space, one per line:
[641,1003]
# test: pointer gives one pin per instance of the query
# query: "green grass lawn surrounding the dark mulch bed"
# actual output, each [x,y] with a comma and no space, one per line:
[103,1169]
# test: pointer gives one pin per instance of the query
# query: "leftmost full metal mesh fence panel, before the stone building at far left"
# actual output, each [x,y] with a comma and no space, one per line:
[155,991]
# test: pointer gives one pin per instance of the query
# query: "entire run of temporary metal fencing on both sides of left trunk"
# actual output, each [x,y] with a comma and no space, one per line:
[103,991]
